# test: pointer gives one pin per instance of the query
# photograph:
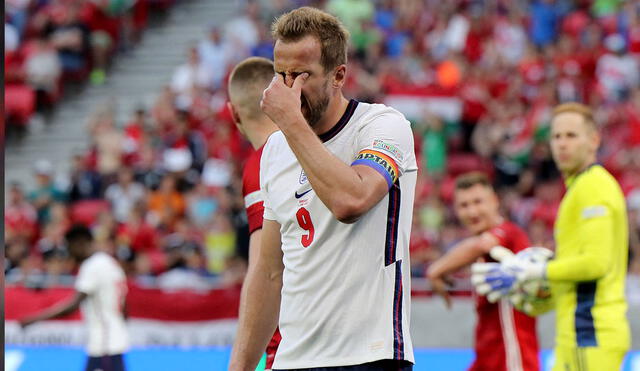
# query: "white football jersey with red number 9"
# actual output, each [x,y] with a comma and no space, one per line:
[346,287]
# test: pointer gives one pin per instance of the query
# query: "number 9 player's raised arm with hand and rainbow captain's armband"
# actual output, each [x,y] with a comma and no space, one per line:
[348,190]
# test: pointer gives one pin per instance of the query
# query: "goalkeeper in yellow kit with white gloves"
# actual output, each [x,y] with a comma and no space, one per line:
[588,272]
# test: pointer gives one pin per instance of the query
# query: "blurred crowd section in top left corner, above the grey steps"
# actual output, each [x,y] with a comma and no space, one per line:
[49,43]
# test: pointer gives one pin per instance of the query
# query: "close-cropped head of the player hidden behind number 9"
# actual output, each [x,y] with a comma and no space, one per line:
[246,84]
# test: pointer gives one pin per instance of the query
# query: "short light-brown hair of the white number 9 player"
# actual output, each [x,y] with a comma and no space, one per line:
[327,29]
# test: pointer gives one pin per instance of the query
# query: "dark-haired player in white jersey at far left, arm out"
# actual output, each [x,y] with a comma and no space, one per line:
[100,292]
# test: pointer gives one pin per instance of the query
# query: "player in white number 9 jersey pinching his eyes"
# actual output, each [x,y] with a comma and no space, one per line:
[338,182]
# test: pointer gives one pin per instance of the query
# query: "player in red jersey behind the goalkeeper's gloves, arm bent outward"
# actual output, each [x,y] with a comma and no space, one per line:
[505,339]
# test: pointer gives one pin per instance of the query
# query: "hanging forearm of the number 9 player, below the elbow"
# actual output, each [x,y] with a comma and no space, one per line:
[259,311]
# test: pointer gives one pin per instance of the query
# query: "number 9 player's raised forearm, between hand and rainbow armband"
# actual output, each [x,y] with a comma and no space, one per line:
[336,183]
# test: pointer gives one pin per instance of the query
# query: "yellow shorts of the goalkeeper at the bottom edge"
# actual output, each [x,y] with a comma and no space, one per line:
[587,359]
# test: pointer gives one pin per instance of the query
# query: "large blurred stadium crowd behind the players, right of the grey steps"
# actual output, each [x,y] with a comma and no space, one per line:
[163,190]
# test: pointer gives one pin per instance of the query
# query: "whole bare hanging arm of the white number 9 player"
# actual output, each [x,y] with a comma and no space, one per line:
[260,301]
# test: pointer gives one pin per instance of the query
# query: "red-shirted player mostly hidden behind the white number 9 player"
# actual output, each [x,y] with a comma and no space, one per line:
[246,84]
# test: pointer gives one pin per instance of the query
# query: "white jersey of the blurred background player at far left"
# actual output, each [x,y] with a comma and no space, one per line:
[104,282]
